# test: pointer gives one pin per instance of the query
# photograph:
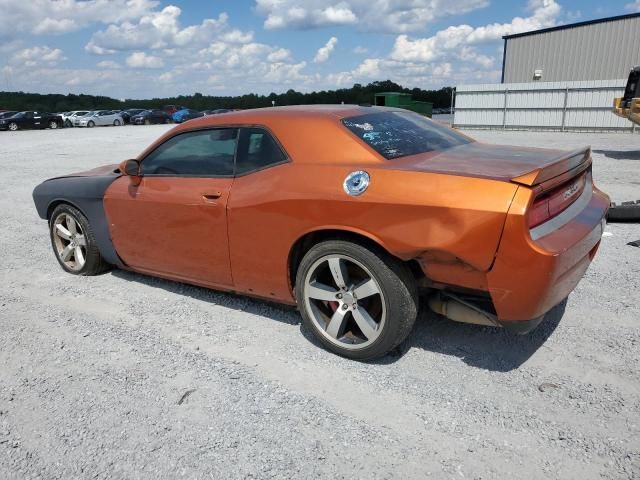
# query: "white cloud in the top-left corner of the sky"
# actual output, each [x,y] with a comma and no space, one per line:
[62,16]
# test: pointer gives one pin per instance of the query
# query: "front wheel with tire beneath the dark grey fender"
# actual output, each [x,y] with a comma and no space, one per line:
[74,243]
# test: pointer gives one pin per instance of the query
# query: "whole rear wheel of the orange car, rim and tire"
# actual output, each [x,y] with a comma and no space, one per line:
[359,302]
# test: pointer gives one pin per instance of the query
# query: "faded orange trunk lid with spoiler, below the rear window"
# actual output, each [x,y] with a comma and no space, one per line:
[524,165]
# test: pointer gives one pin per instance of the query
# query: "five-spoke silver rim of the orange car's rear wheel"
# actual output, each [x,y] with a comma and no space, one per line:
[345,301]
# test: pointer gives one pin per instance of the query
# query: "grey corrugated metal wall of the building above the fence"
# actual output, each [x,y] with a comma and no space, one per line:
[599,51]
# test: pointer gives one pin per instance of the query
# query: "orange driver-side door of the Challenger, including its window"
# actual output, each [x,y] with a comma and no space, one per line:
[174,223]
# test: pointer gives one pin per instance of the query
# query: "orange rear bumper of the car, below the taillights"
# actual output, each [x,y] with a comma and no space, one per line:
[531,276]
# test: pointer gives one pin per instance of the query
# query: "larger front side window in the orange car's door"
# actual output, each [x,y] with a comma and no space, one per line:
[202,153]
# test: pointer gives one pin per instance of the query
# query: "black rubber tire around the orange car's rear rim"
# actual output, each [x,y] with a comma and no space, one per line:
[396,282]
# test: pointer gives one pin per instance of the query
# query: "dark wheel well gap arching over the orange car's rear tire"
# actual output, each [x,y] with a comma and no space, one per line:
[304,244]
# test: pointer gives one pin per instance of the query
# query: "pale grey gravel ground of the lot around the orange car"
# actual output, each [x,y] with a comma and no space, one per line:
[126,376]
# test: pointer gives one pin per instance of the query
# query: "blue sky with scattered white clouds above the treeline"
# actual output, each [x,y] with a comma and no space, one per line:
[157,48]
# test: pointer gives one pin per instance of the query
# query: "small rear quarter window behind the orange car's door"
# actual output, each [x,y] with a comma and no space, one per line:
[257,150]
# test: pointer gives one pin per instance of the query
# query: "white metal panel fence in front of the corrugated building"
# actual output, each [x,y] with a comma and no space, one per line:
[565,106]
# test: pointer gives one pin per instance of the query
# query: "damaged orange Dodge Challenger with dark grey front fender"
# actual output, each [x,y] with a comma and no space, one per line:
[349,212]
